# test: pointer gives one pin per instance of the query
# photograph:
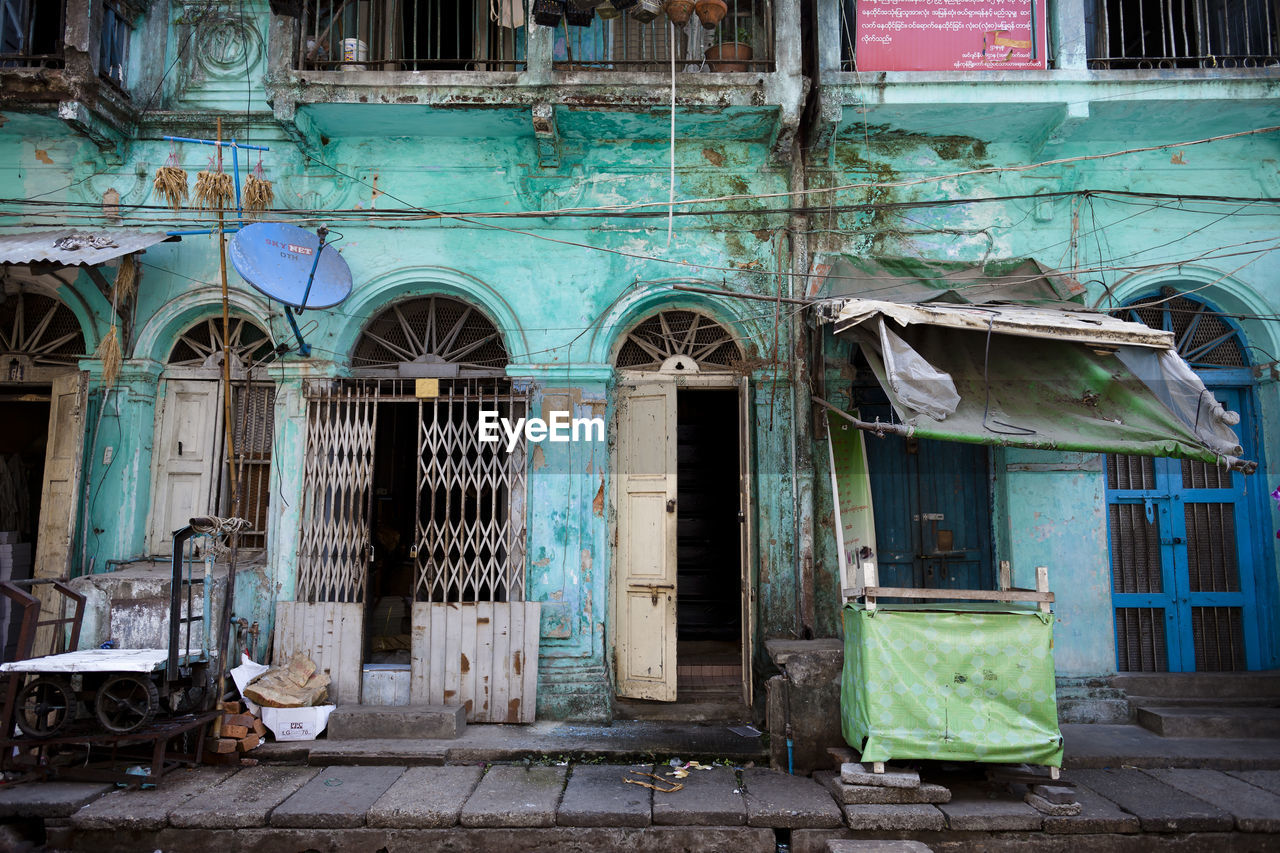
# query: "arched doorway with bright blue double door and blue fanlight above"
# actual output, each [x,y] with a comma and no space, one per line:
[1186,537]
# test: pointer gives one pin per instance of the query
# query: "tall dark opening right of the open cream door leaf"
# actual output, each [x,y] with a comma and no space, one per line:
[708,541]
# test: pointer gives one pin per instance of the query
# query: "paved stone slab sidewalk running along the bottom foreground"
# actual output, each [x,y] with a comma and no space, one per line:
[540,808]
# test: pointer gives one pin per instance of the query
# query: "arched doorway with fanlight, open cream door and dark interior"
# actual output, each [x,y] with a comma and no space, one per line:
[683,583]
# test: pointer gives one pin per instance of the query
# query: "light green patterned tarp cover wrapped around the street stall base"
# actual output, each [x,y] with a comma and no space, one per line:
[950,682]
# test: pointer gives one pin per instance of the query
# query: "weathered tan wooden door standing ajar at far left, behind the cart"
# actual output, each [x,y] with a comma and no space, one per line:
[60,491]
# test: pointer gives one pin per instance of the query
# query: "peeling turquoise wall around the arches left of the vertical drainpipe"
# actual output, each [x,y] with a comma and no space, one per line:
[563,295]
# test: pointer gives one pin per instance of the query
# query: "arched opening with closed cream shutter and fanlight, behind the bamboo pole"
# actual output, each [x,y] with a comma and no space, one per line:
[193,471]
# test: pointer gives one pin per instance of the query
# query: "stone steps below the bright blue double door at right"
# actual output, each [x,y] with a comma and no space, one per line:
[1205,705]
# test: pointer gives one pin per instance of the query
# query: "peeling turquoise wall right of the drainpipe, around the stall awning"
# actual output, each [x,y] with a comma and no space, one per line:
[1050,508]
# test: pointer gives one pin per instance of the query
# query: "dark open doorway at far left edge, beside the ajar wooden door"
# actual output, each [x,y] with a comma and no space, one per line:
[24,440]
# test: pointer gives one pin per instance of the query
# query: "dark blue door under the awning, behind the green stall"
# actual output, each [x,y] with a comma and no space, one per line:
[932,513]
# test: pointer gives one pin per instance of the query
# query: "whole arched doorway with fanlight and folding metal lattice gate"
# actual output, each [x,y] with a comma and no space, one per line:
[414,524]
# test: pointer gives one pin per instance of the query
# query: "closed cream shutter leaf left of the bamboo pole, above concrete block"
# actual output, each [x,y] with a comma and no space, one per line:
[185,462]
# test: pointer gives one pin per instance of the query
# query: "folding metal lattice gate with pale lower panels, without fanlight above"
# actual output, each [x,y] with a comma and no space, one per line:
[474,637]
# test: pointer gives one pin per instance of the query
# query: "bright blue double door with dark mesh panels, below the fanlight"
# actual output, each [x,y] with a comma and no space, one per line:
[1182,539]
